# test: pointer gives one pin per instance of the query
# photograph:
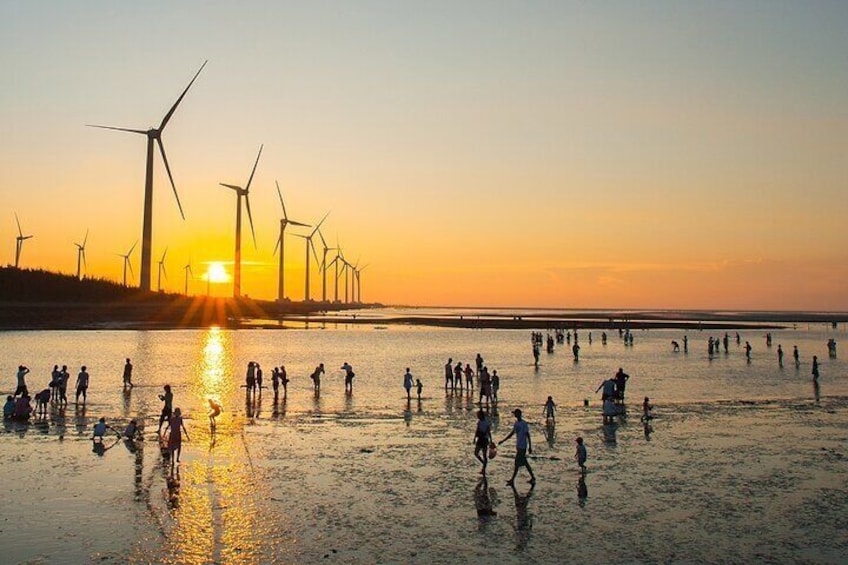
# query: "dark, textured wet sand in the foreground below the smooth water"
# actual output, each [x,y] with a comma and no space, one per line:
[717,482]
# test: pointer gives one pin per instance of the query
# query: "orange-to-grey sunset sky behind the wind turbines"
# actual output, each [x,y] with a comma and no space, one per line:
[539,154]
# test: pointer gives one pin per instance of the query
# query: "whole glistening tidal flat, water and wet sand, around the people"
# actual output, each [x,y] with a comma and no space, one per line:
[743,462]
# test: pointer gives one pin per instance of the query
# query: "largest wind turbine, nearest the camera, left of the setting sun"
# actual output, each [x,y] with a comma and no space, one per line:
[154,135]
